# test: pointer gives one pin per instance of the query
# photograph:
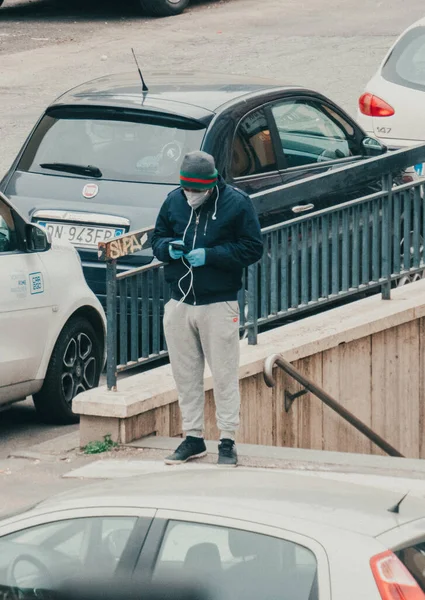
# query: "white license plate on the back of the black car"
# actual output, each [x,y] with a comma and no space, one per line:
[83,236]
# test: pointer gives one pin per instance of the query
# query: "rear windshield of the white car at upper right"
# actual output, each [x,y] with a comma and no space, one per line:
[406,64]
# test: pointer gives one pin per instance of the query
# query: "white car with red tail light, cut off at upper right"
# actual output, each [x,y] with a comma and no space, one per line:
[392,106]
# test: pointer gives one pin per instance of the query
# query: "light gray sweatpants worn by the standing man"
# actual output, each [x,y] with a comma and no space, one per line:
[195,334]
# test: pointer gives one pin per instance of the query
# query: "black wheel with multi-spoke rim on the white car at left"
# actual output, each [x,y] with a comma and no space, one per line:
[74,367]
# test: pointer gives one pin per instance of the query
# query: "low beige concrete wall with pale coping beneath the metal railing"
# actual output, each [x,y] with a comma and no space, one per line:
[368,355]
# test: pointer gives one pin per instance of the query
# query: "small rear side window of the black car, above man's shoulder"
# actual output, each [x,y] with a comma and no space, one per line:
[253,151]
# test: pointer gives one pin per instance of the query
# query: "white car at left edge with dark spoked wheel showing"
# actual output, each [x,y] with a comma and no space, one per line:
[52,327]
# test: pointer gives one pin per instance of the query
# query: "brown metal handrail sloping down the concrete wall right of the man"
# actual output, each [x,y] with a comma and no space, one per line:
[279,361]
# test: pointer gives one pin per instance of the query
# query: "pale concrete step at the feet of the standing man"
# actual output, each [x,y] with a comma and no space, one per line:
[401,475]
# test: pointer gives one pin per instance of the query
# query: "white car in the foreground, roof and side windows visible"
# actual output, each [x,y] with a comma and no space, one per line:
[252,534]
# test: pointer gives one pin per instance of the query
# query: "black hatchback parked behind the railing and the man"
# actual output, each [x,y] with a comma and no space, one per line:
[104,156]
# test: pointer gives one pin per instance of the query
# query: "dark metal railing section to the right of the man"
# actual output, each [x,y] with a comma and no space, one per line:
[343,250]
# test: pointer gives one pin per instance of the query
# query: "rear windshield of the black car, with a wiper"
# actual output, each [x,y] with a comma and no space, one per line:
[148,150]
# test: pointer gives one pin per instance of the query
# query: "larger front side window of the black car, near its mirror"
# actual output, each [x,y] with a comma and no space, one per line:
[311,133]
